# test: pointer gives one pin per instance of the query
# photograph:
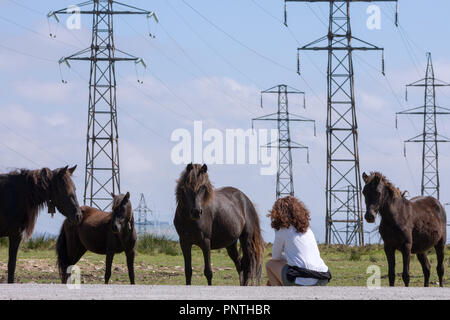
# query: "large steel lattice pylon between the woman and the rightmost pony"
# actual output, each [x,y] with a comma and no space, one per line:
[343,182]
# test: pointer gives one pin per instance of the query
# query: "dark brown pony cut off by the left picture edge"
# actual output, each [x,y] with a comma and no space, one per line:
[23,193]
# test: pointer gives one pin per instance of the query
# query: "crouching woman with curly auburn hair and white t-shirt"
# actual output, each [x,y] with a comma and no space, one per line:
[301,263]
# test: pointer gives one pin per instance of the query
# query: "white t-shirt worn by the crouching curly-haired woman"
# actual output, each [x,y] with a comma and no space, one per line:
[300,249]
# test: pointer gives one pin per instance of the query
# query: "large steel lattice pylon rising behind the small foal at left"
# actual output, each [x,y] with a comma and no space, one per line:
[102,172]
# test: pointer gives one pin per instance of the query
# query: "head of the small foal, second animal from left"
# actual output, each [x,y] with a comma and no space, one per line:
[122,213]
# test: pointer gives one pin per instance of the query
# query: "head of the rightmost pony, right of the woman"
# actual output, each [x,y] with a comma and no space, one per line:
[376,191]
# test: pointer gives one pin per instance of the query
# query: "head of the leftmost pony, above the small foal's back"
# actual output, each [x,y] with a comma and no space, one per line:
[62,192]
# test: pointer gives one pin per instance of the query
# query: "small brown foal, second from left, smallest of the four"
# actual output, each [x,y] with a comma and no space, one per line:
[105,233]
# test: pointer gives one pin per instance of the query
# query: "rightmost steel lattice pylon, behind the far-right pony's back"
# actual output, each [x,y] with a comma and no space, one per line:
[429,136]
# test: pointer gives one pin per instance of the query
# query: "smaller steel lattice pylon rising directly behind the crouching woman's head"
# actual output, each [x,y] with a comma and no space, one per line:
[285,182]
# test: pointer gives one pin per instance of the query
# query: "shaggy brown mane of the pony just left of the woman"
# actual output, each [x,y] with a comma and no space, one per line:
[194,179]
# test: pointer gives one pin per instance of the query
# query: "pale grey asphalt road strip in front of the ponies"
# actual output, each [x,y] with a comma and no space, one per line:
[146,292]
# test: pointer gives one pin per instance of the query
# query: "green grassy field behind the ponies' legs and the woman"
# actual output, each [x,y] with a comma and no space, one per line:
[159,261]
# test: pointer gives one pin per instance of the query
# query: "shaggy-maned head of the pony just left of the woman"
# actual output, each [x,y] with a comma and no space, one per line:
[194,190]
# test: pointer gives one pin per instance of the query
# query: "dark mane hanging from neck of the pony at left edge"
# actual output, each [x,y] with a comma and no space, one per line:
[34,187]
